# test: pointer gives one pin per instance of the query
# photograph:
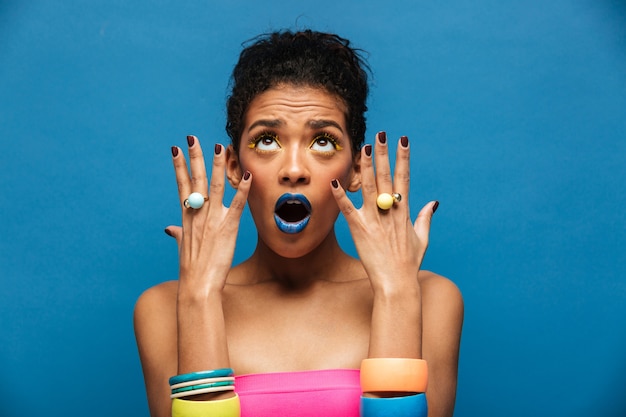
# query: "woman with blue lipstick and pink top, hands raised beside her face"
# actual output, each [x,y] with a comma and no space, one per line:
[300,315]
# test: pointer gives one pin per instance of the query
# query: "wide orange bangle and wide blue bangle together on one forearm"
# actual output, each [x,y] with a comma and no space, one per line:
[394,387]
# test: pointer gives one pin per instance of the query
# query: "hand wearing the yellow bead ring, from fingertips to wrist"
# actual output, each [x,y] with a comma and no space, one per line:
[390,247]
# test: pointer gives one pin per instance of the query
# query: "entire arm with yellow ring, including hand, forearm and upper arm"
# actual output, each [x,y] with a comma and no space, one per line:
[406,323]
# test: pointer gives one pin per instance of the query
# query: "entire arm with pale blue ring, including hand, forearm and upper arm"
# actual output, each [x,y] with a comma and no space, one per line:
[194,338]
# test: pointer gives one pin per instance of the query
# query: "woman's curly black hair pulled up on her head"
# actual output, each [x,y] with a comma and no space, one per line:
[304,58]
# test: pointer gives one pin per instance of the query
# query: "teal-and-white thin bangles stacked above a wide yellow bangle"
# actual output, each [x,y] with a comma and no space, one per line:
[195,383]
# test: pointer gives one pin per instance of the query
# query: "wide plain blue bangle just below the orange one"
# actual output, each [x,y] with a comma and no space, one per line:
[408,406]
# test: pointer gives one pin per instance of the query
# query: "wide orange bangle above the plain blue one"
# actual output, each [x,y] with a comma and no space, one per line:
[394,374]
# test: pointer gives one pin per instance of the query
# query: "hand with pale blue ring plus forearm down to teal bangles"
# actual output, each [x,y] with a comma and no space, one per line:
[206,248]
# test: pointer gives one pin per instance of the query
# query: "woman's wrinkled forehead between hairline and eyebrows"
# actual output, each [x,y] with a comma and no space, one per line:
[290,104]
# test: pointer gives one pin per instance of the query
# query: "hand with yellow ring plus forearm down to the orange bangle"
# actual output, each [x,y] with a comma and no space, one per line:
[391,250]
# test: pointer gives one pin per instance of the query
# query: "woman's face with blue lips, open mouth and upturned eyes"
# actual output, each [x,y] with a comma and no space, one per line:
[294,142]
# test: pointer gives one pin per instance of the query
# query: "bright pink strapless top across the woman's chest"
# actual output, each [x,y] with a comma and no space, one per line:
[329,393]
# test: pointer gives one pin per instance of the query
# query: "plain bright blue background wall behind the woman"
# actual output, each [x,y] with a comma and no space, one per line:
[517,115]
